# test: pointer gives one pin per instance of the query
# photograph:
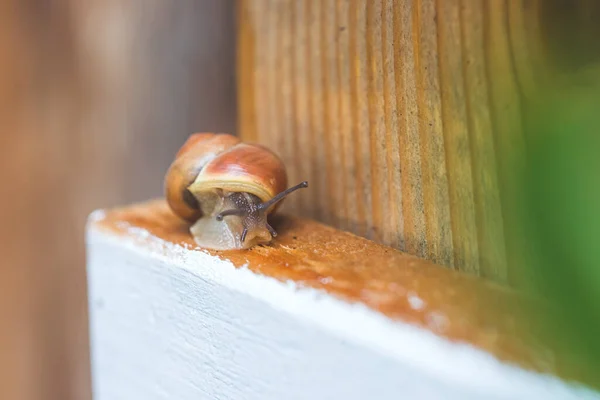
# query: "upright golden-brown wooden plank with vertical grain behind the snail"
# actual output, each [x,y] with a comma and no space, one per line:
[405,116]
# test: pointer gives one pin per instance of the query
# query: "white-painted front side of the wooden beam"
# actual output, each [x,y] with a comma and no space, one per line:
[172,323]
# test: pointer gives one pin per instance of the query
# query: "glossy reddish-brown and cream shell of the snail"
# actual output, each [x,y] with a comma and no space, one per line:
[209,163]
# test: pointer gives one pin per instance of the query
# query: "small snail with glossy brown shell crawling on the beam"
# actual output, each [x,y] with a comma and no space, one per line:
[226,189]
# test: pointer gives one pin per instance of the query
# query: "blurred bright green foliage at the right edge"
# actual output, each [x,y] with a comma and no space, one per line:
[558,201]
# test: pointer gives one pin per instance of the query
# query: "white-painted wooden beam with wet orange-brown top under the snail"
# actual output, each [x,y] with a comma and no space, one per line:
[319,314]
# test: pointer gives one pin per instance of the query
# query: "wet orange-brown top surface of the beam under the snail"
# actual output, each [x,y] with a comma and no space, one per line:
[457,306]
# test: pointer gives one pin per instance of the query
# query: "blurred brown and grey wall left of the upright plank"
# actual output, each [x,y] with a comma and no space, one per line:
[95,98]
